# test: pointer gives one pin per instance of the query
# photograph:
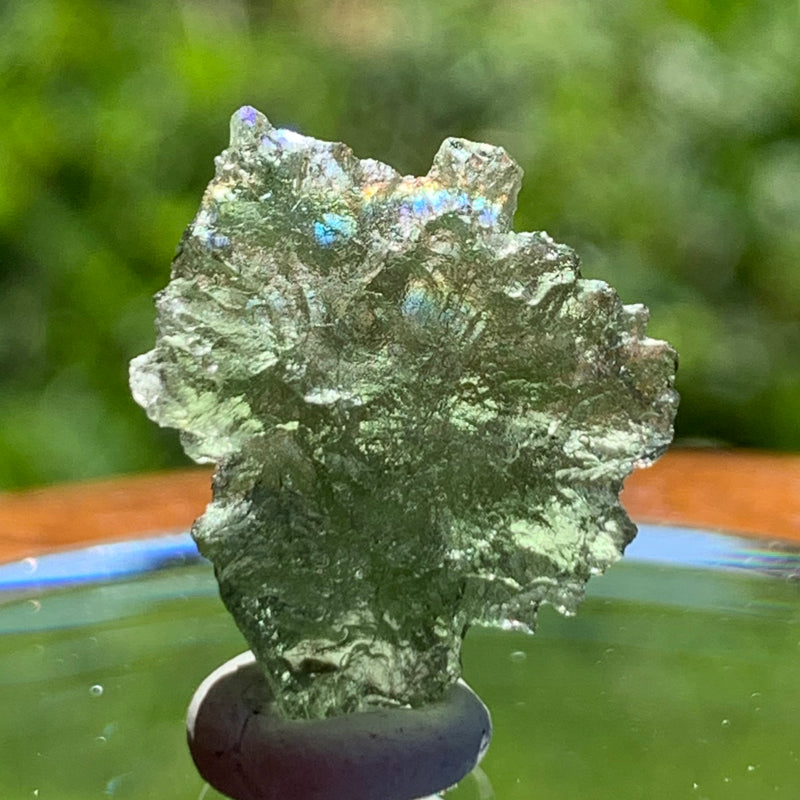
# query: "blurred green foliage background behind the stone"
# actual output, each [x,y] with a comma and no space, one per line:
[660,139]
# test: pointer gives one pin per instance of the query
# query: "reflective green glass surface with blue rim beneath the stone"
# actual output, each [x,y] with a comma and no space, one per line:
[677,679]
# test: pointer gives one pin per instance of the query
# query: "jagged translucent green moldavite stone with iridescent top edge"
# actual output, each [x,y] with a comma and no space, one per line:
[420,419]
